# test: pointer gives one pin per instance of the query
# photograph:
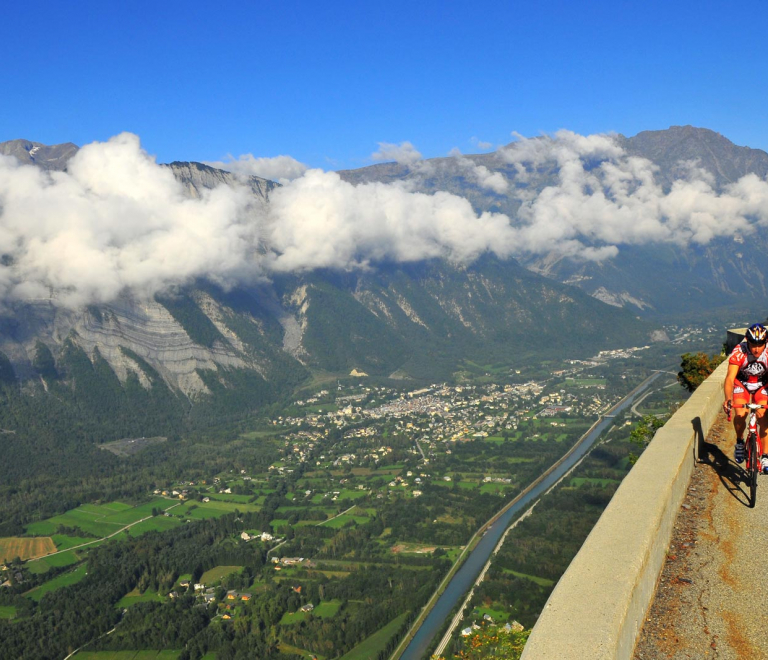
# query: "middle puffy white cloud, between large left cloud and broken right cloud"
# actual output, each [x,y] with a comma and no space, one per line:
[321,221]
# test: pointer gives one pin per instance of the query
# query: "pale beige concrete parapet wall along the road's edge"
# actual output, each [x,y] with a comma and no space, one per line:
[598,606]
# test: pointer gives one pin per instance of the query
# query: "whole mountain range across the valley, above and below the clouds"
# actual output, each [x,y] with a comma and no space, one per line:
[419,320]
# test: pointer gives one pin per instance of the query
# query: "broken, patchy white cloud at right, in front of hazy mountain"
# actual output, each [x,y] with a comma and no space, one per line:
[604,198]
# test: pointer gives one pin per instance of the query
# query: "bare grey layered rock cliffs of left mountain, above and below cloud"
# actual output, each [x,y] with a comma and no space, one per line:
[131,326]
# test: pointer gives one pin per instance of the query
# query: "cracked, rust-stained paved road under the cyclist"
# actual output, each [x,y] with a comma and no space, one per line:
[712,600]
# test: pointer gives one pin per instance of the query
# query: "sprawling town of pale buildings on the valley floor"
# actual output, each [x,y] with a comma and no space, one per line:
[434,417]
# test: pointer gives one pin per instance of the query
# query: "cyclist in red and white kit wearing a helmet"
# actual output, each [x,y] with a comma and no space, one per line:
[746,379]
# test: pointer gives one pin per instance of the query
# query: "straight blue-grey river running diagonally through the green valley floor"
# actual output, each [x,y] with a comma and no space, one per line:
[467,574]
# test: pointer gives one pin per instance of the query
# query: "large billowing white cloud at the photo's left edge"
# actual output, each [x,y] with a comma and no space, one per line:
[116,221]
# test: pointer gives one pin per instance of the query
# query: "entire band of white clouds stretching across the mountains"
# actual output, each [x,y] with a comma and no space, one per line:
[117,221]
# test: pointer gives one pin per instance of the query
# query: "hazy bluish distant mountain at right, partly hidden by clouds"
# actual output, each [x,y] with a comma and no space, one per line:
[657,279]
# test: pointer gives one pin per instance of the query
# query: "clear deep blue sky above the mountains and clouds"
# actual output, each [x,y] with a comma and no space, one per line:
[326,82]
